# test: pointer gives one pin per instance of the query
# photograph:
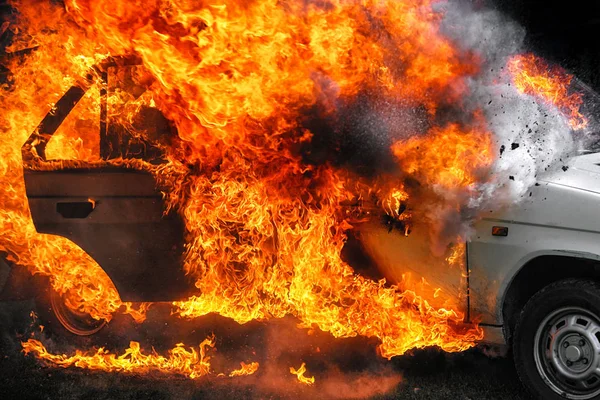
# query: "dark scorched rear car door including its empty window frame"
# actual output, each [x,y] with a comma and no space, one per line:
[116,214]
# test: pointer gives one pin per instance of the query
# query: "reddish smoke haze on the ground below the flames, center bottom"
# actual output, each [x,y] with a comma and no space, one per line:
[343,369]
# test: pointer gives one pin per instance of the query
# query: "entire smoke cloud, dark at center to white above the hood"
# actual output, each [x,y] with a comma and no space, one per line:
[529,138]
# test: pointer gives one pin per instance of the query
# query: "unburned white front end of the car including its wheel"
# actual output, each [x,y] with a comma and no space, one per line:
[531,278]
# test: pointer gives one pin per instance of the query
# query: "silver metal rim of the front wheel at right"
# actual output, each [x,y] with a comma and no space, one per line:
[567,352]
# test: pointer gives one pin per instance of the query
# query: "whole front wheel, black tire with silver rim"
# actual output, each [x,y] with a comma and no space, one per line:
[556,344]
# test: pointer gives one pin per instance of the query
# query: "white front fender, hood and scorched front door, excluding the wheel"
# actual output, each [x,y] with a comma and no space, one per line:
[553,234]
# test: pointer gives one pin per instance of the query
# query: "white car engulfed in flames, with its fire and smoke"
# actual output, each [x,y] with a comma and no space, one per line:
[219,185]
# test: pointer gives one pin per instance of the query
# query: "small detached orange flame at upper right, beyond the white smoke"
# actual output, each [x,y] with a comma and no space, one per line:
[533,76]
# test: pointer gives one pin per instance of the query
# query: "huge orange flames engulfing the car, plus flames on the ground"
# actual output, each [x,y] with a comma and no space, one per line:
[264,226]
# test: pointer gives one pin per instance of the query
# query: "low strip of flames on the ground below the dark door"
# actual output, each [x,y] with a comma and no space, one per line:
[192,362]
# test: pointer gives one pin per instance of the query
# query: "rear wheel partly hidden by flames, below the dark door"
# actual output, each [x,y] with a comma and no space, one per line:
[58,319]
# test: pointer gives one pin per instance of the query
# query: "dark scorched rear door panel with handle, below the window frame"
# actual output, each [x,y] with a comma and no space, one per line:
[125,232]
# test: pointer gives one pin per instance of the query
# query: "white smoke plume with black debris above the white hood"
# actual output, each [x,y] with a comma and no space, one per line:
[533,138]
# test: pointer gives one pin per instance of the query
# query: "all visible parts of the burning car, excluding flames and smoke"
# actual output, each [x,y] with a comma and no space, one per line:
[529,275]
